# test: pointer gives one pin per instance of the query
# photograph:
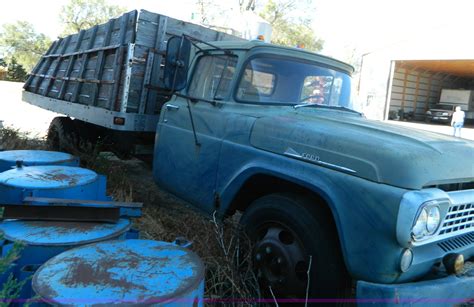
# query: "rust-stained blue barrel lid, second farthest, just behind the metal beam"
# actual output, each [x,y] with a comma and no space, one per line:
[47,177]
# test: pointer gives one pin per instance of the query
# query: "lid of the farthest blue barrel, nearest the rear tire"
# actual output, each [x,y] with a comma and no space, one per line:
[35,156]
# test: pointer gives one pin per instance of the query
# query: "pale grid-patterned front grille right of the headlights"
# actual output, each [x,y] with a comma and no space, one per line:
[460,218]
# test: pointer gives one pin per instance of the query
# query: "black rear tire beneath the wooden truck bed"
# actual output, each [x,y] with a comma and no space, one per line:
[62,135]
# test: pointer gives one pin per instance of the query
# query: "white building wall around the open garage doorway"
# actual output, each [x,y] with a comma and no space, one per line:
[377,66]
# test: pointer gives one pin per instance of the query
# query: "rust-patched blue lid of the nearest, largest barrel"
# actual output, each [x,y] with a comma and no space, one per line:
[119,272]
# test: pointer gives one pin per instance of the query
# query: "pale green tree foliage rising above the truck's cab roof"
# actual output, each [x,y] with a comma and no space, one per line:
[290,31]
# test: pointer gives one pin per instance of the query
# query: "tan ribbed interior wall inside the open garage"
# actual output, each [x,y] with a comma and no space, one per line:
[414,90]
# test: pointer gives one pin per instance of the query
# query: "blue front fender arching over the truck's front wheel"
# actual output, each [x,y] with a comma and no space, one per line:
[365,212]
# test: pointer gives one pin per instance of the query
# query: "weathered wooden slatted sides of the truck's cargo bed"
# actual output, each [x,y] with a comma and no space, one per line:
[90,67]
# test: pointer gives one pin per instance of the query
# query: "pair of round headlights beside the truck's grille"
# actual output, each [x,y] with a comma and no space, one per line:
[427,222]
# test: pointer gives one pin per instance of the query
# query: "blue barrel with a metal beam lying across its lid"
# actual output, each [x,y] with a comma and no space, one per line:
[43,240]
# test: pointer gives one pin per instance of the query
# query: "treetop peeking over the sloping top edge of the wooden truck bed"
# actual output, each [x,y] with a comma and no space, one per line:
[83,14]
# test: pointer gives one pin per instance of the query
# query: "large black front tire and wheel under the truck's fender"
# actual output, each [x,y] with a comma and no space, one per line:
[289,232]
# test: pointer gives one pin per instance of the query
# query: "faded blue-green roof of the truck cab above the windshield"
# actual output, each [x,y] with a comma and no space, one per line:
[277,49]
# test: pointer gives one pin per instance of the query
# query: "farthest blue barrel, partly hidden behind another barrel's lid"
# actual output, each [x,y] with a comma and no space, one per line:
[8,159]
